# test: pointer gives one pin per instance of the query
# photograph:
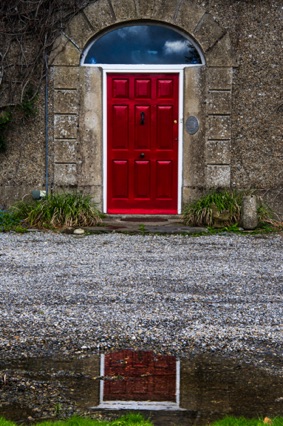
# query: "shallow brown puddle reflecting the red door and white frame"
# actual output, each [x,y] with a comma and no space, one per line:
[170,391]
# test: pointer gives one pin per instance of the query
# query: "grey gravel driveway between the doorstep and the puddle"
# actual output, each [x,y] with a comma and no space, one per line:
[70,295]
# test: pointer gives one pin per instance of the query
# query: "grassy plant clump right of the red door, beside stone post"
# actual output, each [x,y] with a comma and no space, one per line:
[215,209]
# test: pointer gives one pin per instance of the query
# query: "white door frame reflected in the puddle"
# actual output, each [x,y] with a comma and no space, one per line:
[138,405]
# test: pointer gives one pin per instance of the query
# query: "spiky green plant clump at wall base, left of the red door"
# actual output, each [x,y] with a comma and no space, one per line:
[65,210]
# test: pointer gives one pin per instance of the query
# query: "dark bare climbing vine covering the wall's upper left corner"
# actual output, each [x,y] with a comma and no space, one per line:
[28,30]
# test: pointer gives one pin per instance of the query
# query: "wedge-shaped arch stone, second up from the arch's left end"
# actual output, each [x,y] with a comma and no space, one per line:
[79,30]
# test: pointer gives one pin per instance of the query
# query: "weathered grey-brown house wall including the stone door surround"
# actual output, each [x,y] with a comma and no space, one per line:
[236,96]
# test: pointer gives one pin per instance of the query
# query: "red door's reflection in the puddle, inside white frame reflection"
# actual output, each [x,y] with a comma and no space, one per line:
[139,376]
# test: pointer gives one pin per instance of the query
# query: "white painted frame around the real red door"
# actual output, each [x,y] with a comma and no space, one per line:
[177,69]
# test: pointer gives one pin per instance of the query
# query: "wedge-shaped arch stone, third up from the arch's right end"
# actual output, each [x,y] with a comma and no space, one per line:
[189,15]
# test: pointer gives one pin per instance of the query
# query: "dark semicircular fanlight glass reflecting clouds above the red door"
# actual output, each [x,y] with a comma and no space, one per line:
[142,44]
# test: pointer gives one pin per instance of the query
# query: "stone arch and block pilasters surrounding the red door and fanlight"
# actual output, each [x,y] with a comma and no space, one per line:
[78,120]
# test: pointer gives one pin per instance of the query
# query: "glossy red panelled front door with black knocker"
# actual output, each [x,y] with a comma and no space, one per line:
[142,143]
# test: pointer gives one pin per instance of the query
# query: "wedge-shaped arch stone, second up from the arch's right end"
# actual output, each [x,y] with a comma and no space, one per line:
[208,32]
